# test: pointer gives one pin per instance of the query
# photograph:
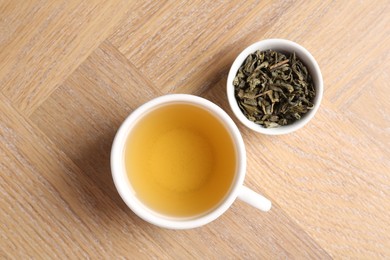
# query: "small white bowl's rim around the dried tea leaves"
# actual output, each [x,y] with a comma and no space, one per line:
[284,46]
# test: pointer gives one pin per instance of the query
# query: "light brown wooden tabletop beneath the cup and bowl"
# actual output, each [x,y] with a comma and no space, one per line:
[71,71]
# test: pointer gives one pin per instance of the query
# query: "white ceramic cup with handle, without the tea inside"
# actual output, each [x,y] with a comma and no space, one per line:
[237,189]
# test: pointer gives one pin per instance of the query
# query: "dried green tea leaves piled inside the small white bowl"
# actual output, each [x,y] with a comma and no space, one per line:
[272,89]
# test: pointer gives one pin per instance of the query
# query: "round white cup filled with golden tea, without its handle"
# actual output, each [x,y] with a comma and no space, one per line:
[178,161]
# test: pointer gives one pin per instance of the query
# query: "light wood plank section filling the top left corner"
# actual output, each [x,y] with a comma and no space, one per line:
[42,43]
